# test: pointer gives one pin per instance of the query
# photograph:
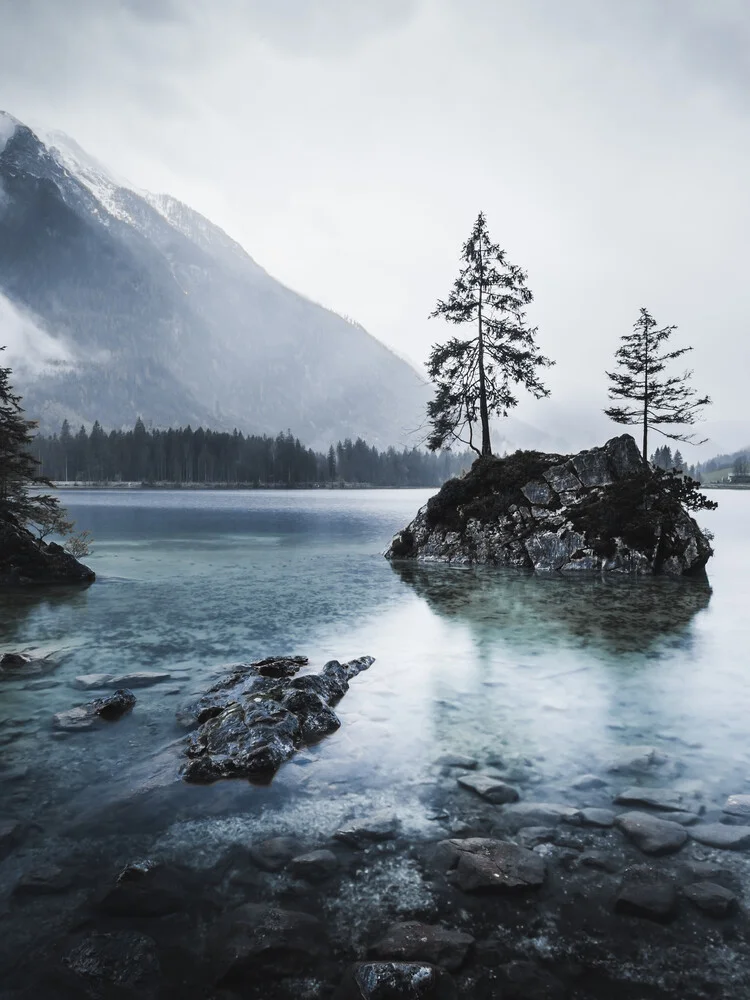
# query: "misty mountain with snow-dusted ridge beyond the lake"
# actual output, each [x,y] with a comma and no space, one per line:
[118,304]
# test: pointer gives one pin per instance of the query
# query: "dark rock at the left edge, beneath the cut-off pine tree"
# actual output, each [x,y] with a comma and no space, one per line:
[25,561]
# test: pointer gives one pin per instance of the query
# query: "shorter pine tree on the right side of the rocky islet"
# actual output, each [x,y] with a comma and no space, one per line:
[659,400]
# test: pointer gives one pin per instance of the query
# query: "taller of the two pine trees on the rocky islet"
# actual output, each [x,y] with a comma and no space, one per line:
[475,377]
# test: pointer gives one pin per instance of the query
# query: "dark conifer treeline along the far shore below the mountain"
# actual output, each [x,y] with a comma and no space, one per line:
[185,455]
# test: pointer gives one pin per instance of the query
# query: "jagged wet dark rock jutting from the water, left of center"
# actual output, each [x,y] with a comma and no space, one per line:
[254,720]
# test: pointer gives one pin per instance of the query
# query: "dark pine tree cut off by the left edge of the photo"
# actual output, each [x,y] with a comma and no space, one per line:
[18,468]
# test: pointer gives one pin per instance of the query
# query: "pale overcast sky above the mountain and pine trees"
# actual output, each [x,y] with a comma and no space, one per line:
[348,145]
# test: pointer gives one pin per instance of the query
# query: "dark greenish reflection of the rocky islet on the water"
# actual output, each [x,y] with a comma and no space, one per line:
[614,615]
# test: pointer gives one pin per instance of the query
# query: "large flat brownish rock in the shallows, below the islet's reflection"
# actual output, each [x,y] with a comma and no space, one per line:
[496,865]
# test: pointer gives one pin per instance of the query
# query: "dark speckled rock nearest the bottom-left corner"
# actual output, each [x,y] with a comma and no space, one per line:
[120,964]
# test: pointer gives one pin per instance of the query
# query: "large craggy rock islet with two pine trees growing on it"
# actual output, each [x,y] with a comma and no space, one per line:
[557,513]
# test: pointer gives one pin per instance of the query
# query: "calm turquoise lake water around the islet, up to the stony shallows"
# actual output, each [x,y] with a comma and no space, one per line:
[558,673]
